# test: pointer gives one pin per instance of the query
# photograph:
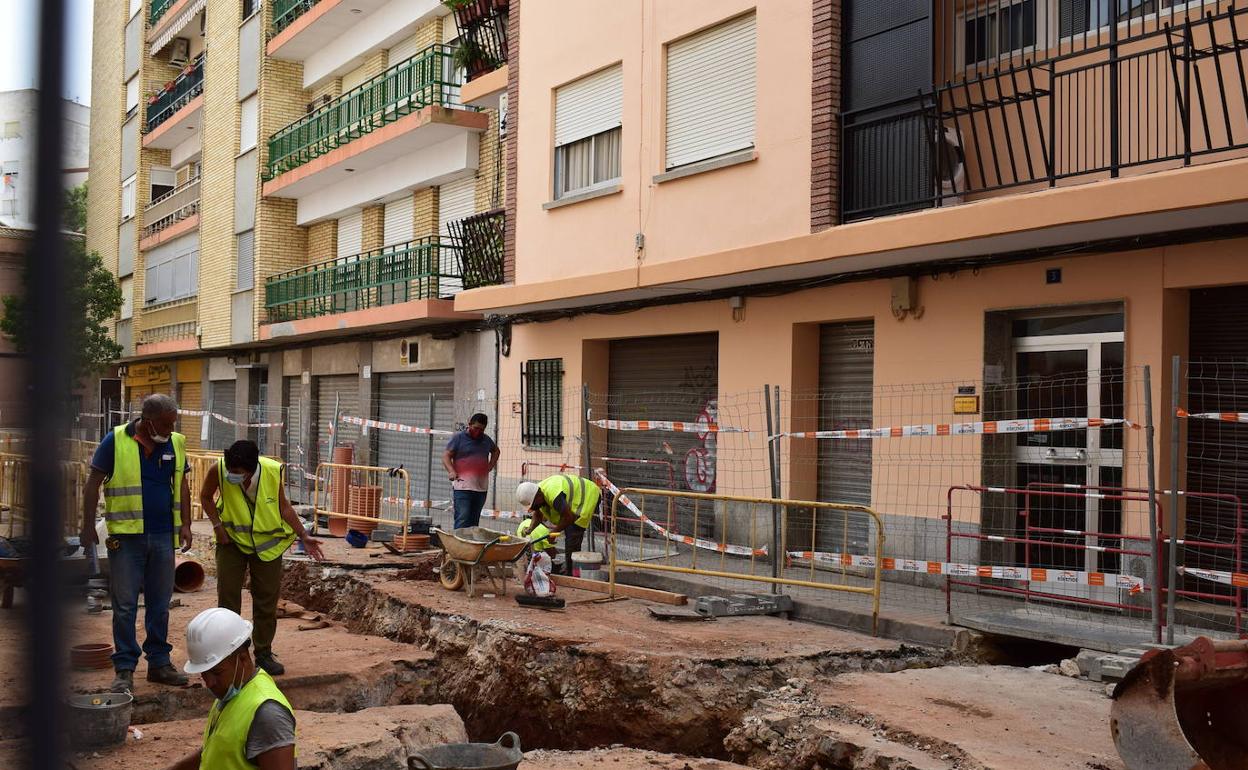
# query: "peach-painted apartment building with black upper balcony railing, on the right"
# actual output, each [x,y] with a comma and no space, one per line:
[907,210]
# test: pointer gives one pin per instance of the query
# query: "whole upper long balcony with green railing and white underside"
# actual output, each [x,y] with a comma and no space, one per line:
[399,132]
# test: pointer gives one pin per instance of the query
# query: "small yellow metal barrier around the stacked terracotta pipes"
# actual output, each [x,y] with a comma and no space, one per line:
[363,497]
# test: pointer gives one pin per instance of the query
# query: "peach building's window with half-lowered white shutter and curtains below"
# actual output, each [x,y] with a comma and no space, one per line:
[587,133]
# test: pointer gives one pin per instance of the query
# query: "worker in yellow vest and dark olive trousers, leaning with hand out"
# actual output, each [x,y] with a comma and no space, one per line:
[254,525]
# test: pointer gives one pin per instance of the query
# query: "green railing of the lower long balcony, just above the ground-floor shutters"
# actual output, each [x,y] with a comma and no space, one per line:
[427,269]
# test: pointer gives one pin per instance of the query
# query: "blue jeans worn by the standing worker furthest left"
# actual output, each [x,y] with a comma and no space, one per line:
[143,565]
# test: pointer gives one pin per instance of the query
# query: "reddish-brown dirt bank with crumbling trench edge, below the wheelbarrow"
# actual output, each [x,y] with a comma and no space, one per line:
[596,675]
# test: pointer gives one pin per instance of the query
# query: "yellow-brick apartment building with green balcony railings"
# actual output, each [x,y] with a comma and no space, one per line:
[291,194]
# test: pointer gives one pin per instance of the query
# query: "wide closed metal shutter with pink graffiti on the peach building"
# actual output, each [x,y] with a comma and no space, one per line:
[672,379]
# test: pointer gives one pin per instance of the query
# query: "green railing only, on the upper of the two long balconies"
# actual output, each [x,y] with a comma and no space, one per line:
[424,80]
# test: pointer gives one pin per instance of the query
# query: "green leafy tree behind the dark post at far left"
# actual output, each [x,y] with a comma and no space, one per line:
[94,300]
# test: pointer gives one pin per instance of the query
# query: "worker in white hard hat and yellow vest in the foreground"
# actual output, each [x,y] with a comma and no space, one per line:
[251,724]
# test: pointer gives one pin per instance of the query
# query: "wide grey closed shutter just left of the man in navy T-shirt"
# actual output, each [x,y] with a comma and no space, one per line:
[405,399]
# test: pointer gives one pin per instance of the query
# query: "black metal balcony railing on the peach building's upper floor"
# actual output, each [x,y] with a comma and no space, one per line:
[1156,90]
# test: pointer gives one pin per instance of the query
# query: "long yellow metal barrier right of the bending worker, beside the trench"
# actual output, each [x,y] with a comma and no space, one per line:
[767,524]
